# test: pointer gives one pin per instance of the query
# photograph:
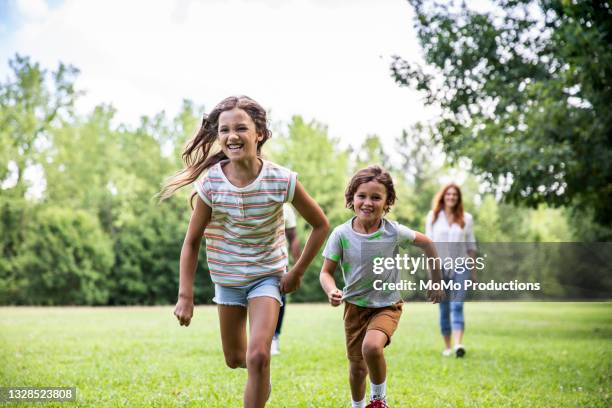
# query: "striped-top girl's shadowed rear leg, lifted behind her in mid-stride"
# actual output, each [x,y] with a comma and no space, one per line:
[232,320]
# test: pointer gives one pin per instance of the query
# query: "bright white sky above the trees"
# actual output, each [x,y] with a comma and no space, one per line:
[327,60]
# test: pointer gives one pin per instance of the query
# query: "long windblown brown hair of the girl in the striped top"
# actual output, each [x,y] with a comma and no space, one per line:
[197,154]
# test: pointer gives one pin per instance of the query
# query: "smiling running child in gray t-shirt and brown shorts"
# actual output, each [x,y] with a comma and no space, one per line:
[370,316]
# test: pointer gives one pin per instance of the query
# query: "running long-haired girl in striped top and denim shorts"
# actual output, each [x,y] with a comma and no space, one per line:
[239,211]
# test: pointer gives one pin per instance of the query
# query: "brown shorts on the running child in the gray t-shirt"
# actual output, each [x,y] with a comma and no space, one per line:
[358,320]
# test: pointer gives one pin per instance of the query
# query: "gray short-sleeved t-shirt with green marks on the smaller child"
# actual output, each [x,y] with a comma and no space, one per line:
[355,253]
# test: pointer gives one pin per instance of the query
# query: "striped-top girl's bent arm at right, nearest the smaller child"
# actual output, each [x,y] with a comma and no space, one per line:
[312,213]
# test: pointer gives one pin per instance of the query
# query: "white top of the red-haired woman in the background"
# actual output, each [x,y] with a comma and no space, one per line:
[451,241]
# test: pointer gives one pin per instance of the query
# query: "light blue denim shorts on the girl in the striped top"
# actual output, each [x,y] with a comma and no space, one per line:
[240,295]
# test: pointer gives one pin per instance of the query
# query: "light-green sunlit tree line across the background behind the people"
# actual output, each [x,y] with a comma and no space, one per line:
[79,222]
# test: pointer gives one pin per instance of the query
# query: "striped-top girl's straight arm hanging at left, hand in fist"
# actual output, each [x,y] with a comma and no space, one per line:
[189,261]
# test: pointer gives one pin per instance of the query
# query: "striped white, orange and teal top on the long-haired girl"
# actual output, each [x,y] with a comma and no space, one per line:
[245,238]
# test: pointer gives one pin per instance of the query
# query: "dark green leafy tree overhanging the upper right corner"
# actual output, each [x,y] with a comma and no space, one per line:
[525,91]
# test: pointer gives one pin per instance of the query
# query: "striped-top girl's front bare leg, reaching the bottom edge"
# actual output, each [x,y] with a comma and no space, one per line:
[263,315]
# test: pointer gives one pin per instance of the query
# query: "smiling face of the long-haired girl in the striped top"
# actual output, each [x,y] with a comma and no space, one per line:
[237,135]
